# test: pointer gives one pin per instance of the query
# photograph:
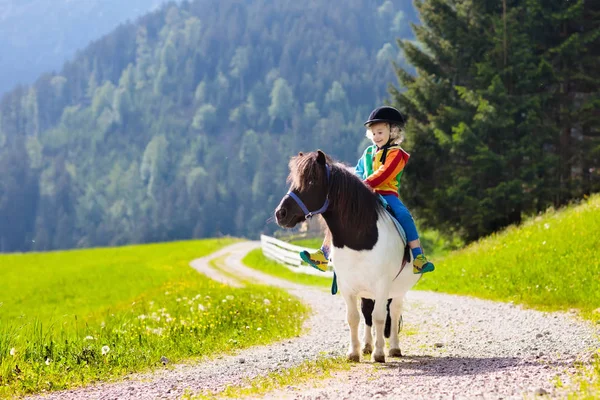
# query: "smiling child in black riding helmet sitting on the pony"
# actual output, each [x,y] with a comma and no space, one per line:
[381,167]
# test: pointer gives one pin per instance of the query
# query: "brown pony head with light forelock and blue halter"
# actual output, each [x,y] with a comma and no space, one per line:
[309,188]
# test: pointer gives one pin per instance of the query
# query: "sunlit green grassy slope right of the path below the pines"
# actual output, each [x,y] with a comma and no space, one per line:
[550,262]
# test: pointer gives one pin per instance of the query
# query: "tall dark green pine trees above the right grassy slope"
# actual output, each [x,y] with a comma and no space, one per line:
[494,110]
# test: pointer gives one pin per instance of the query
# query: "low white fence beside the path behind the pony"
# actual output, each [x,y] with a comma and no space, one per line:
[288,255]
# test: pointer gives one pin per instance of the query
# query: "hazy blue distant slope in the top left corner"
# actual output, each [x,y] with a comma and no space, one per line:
[37,36]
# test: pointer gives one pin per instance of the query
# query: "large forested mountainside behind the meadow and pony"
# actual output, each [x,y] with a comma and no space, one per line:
[181,125]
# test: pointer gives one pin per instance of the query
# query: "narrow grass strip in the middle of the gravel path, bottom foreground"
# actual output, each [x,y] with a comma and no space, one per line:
[306,372]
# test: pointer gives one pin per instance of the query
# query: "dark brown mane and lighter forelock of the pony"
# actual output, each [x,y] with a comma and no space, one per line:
[347,192]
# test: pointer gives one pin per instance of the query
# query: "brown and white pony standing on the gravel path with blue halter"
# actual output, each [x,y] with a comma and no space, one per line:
[367,251]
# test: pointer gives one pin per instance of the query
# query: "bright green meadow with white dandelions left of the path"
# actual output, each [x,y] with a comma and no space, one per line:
[72,317]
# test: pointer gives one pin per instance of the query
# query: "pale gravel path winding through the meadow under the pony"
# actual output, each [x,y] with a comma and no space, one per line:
[463,348]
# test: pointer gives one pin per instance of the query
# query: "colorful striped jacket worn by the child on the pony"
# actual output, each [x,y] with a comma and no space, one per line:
[384,178]
